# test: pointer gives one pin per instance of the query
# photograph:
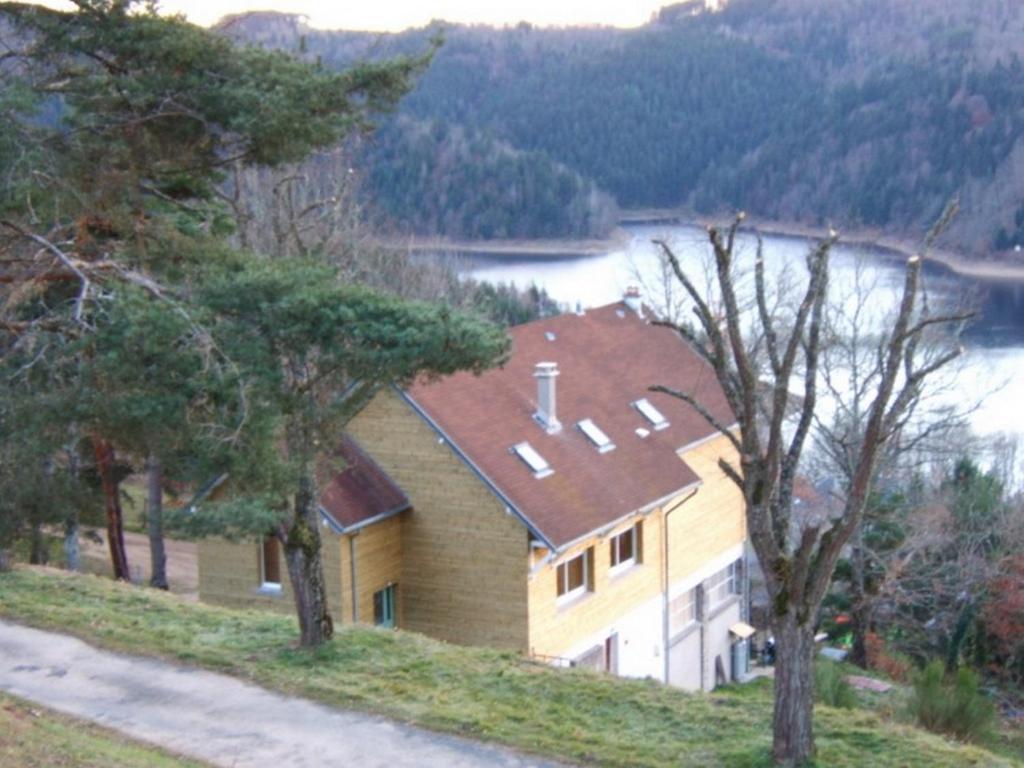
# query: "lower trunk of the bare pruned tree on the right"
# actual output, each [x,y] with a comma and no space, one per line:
[793,738]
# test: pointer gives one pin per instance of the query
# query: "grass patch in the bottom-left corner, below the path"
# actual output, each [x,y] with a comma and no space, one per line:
[34,738]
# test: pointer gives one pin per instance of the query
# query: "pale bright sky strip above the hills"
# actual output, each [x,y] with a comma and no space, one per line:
[399,15]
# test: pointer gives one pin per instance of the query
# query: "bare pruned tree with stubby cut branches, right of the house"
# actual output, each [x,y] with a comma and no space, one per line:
[755,362]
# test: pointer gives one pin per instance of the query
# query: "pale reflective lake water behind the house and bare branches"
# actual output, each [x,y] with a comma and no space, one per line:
[993,366]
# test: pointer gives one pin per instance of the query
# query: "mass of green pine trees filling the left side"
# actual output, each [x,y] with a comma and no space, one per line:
[121,293]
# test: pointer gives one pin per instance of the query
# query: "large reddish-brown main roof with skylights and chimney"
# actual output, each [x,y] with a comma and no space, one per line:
[608,359]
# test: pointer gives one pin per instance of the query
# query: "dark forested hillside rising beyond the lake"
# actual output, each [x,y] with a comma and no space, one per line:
[866,113]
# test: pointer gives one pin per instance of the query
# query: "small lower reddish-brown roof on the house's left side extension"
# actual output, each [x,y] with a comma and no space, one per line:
[355,491]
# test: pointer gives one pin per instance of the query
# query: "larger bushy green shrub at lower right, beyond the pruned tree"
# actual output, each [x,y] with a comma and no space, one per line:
[953,705]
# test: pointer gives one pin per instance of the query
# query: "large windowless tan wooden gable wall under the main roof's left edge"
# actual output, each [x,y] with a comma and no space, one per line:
[464,559]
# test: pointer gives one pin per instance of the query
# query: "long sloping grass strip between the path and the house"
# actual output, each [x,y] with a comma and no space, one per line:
[488,695]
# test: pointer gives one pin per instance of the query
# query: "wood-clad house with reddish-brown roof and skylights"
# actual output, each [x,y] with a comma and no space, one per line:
[556,507]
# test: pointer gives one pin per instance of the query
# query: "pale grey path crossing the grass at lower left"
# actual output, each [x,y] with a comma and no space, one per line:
[220,719]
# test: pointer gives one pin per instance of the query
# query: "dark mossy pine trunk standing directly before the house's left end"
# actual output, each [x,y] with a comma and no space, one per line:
[303,552]
